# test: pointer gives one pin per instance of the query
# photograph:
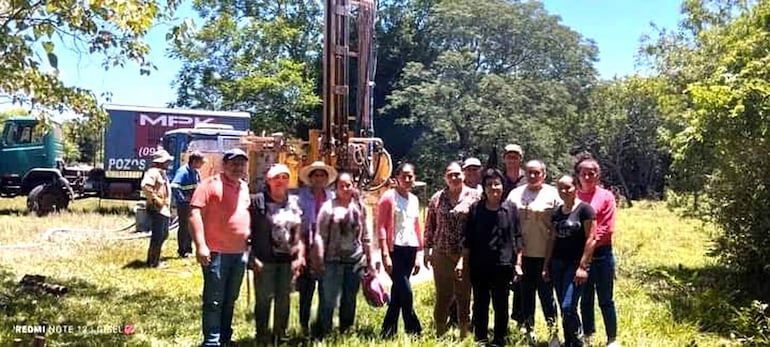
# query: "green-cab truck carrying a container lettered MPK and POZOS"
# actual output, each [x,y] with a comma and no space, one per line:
[32,165]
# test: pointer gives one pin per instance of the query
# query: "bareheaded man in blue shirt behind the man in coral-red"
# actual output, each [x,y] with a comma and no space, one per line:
[183,185]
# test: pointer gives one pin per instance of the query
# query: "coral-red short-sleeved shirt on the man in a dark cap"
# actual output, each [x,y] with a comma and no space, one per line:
[224,208]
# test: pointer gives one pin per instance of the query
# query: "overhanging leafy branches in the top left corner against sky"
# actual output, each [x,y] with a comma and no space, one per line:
[33,33]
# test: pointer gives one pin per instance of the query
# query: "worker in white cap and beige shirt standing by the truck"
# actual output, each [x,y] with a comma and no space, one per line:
[157,190]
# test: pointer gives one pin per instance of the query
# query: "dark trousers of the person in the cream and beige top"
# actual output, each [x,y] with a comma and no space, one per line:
[533,281]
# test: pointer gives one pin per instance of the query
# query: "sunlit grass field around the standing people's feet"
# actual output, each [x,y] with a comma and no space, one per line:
[108,287]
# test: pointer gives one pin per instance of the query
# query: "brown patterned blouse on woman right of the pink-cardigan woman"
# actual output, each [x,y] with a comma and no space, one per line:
[445,220]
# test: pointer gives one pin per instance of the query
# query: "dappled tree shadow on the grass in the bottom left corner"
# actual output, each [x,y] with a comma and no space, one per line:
[97,314]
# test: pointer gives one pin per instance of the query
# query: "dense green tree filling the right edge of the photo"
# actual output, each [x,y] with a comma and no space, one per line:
[726,122]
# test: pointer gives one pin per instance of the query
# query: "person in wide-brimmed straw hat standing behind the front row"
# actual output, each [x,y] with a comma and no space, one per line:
[316,178]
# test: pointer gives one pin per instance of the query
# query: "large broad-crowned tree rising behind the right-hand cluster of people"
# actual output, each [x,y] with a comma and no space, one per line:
[505,72]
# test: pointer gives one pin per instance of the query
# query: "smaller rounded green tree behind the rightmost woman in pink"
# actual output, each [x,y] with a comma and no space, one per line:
[621,130]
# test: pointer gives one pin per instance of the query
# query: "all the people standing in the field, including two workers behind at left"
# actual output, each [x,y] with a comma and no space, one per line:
[486,234]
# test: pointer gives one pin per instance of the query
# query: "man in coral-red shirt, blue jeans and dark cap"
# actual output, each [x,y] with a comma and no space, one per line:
[220,224]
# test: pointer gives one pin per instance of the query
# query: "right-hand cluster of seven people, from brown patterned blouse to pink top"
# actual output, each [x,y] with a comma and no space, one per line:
[490,232]
